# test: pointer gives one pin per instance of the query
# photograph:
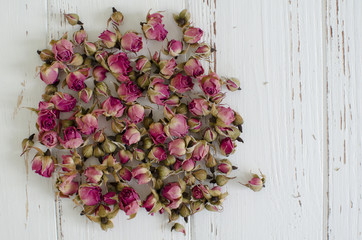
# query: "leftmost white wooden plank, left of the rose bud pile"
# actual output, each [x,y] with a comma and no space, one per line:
[27,200]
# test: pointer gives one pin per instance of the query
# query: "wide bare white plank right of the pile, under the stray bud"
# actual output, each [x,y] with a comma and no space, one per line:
[275,48]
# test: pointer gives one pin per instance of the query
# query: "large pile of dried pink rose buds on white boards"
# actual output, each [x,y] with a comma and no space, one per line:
[100,132]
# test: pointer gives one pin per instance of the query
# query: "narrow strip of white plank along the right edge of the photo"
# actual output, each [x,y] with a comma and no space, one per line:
[344,100]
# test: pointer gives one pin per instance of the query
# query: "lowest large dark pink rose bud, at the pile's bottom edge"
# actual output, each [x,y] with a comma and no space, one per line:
[129,201]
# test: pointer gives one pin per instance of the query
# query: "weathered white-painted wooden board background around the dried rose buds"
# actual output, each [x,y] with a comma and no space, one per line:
[300,66]
